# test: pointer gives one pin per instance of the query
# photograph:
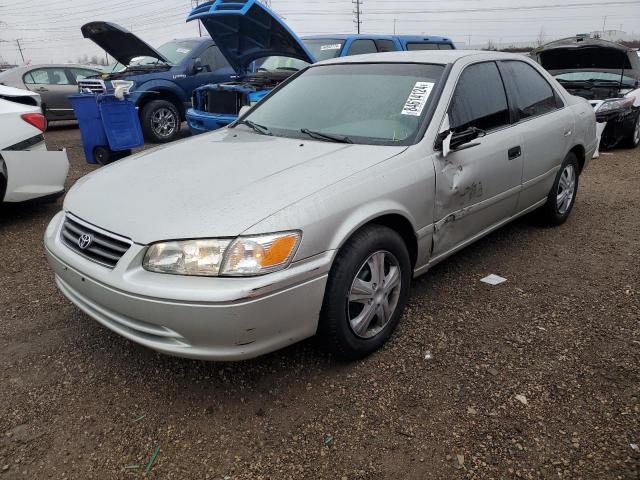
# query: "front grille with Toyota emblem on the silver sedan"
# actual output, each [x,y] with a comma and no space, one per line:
[100,246]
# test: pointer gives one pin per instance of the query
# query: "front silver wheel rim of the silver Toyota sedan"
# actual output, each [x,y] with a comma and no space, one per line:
[374,294]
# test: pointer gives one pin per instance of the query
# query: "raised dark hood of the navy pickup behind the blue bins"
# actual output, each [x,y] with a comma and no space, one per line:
[118,42]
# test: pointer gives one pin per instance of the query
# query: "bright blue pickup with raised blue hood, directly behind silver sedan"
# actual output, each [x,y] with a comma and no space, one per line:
[266,53]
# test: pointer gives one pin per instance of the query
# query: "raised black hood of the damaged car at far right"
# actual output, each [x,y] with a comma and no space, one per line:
[586,54]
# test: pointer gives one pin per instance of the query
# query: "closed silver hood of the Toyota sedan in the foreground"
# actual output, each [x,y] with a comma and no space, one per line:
[215,185]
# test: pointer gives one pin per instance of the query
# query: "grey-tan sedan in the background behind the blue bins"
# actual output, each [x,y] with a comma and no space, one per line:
[54,83]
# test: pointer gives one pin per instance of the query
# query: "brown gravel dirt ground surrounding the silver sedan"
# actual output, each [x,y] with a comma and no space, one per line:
[535,378]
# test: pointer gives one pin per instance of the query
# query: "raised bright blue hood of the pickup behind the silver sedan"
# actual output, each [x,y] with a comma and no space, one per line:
[246,30]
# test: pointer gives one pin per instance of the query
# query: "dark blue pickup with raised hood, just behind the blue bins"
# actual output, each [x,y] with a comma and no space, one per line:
[159,81]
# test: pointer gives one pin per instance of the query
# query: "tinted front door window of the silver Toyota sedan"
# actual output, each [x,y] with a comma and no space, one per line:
[479,100]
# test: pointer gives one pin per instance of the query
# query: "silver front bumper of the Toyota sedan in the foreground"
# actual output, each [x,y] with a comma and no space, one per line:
[194,317]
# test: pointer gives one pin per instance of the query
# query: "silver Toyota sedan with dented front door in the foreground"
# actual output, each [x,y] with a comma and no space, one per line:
[313,212]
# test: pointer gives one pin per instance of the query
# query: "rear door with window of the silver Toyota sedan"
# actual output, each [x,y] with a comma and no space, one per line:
[545,124]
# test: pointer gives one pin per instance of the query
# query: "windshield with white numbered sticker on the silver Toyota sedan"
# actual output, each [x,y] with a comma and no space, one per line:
[368,103]
